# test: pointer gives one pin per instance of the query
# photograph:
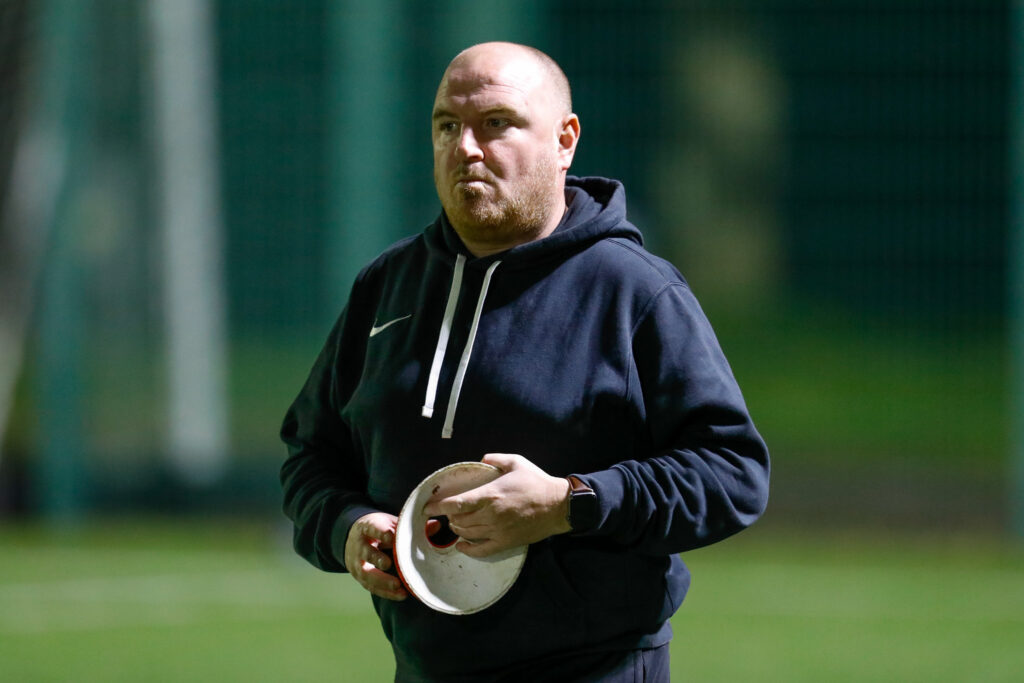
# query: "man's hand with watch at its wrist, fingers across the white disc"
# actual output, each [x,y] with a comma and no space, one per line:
[523,506]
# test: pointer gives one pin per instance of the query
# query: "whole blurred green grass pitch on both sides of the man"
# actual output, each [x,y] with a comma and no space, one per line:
[216,601]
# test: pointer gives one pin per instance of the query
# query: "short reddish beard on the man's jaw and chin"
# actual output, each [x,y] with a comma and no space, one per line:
[500,216]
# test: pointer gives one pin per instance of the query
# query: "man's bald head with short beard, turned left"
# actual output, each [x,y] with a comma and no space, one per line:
[504,137]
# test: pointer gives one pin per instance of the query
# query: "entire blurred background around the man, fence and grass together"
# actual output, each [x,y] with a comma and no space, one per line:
[188,189]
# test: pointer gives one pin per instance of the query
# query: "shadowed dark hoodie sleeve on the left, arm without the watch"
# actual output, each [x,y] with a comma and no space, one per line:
[324,481]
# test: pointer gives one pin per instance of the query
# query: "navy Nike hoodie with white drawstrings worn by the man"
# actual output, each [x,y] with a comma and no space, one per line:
[581,352]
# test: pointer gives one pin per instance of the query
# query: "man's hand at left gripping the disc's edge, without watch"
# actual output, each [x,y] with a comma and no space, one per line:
[367,538]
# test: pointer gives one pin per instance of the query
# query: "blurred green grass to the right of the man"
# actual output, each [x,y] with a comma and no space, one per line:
[814,609]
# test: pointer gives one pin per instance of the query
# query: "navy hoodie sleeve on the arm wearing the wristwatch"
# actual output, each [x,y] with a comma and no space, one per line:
[707,477]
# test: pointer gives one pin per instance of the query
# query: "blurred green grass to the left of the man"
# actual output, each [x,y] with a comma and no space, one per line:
[179,603]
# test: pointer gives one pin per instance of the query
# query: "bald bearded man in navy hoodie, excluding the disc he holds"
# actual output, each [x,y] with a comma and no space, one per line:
[528,327]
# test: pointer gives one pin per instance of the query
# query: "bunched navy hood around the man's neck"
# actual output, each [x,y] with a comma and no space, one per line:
[595,210]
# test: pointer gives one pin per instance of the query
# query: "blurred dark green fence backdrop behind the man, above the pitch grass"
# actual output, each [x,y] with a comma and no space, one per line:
[190,188]
